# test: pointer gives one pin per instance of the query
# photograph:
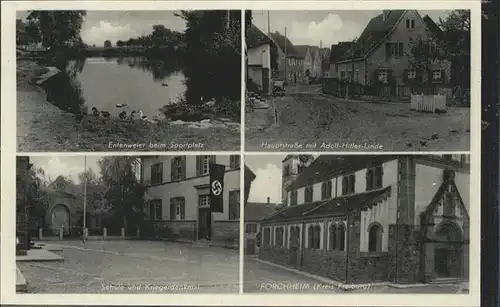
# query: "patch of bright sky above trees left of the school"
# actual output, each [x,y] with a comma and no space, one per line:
[68,166]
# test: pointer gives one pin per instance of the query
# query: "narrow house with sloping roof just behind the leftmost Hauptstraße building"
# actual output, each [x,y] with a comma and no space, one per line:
[290,61]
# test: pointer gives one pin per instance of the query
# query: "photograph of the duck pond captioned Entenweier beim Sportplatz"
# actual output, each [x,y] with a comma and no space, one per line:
[128,80]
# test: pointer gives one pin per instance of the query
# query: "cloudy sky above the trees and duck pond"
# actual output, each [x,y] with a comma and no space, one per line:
[122,25]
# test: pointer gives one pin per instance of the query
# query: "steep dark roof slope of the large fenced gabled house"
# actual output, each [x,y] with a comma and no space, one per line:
[373,34]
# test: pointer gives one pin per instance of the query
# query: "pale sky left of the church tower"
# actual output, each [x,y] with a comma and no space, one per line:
[267,169]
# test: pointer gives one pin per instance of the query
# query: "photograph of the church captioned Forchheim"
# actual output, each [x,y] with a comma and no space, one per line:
[357,223]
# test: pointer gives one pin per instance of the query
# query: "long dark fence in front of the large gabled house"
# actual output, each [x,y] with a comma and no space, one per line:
[344,89]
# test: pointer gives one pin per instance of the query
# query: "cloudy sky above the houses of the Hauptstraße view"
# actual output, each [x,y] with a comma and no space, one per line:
[311,27]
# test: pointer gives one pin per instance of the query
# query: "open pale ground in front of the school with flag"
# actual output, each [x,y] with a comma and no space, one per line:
[135,267]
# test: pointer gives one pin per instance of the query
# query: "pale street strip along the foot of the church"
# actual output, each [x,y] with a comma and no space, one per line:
[260,277]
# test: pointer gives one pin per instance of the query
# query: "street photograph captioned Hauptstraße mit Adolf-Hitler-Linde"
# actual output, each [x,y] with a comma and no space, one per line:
[361,80]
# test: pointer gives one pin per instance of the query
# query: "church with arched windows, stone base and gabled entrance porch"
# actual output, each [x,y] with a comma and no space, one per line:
[374,218]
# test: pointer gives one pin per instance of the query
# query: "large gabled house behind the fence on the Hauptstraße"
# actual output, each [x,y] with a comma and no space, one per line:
[381,53]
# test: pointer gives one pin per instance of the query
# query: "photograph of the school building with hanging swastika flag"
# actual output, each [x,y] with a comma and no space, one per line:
[127,224]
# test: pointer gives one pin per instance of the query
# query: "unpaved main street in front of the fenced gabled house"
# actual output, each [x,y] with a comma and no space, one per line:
[310,118]
